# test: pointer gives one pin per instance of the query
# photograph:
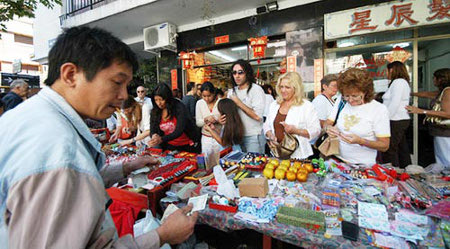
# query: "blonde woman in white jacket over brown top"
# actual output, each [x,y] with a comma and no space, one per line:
[292,113]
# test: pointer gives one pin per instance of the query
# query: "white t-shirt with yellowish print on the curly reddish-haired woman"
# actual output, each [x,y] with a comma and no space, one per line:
[368,121]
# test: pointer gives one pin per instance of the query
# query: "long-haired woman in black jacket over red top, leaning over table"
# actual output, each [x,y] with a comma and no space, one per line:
[171,126]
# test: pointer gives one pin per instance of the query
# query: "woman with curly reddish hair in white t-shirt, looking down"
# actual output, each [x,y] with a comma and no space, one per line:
[363,123]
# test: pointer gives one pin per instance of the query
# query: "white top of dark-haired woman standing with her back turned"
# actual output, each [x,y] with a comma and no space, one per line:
[396,98]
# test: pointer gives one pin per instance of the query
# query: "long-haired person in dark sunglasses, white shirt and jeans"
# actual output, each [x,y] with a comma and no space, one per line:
[250,100]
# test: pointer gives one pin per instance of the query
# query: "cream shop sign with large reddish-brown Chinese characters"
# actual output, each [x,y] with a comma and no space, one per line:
[386,16]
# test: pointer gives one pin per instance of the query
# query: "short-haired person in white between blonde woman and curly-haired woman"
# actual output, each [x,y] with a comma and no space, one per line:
[324,102]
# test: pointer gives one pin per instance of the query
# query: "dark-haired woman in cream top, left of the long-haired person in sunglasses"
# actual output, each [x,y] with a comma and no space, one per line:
[206,113]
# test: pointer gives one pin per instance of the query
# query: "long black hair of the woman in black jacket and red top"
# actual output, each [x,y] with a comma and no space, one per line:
[162,90]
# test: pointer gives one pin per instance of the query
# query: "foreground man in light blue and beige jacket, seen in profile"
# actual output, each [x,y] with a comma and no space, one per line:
[52,169]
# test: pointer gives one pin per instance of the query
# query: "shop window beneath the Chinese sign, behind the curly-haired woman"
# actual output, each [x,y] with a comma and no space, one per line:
[373,59]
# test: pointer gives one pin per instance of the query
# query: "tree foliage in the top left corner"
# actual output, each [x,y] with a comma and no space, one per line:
[21,8]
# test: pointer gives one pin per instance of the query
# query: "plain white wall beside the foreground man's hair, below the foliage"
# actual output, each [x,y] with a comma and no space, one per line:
[46,29]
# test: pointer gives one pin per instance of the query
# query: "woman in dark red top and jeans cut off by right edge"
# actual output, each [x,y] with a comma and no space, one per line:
[438,117]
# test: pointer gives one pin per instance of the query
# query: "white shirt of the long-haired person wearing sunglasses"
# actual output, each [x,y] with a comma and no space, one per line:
[255,100]
